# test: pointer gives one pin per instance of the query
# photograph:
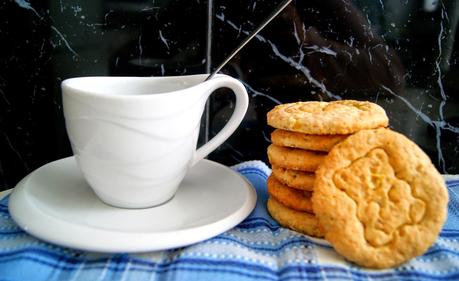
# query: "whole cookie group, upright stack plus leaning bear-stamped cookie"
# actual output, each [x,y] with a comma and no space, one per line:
[337,173]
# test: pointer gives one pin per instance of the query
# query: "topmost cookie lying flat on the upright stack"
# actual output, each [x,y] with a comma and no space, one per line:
[328,118]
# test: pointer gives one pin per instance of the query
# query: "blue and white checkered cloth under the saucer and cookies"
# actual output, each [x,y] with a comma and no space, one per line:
[256,249]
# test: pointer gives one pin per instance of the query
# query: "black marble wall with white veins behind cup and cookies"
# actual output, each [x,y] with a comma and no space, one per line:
[402,55]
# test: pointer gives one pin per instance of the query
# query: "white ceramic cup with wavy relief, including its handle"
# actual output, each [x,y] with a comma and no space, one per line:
[134,138]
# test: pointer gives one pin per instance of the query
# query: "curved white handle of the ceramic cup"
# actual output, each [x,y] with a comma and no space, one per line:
[242,102]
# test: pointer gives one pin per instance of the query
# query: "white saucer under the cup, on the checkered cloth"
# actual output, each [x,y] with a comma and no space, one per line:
[55,204]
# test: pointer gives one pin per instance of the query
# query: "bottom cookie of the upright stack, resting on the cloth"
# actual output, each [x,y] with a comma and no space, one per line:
[303,222]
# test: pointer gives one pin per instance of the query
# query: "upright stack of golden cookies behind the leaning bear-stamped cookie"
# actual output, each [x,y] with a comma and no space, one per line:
[305,133]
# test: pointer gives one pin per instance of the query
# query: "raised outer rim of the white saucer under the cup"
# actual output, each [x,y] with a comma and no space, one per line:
[31,219]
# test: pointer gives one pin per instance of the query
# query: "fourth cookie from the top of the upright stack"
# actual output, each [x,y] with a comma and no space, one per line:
[293,178]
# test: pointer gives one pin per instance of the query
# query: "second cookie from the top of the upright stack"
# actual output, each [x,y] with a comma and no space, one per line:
[310,142]
